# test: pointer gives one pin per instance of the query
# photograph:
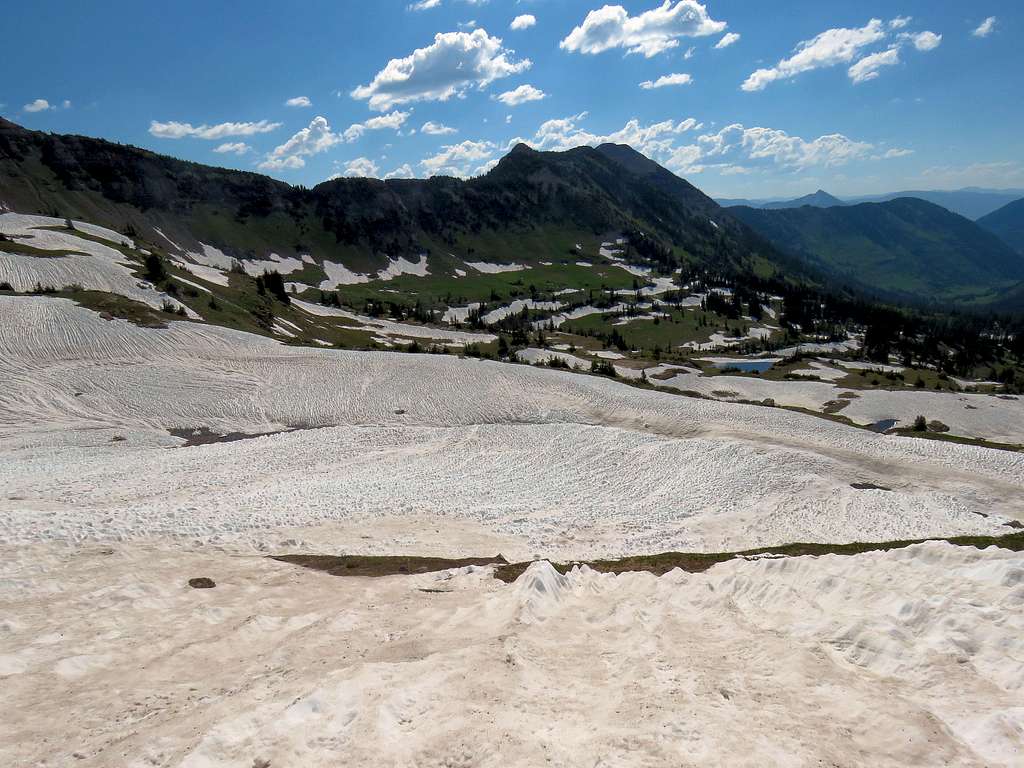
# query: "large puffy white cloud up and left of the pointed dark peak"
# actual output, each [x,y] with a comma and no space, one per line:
[449,67]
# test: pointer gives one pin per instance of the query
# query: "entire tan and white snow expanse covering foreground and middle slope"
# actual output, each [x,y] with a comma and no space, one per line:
[107,510]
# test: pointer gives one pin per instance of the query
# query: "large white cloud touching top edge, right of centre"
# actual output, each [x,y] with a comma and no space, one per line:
[650,33]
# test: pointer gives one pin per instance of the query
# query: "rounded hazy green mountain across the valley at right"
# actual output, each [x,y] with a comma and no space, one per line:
[907,249]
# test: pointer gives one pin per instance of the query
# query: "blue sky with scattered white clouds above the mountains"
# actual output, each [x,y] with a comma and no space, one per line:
[744,100]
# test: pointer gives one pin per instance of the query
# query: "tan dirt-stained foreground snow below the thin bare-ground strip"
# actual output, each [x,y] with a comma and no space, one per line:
[892,659]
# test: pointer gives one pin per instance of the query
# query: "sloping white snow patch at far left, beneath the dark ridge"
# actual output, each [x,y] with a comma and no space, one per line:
[77,262]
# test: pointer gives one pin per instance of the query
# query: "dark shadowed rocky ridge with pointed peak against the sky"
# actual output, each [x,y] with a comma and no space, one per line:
[533,206]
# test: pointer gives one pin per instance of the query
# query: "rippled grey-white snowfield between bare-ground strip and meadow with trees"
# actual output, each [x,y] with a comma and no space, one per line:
[509,448]
